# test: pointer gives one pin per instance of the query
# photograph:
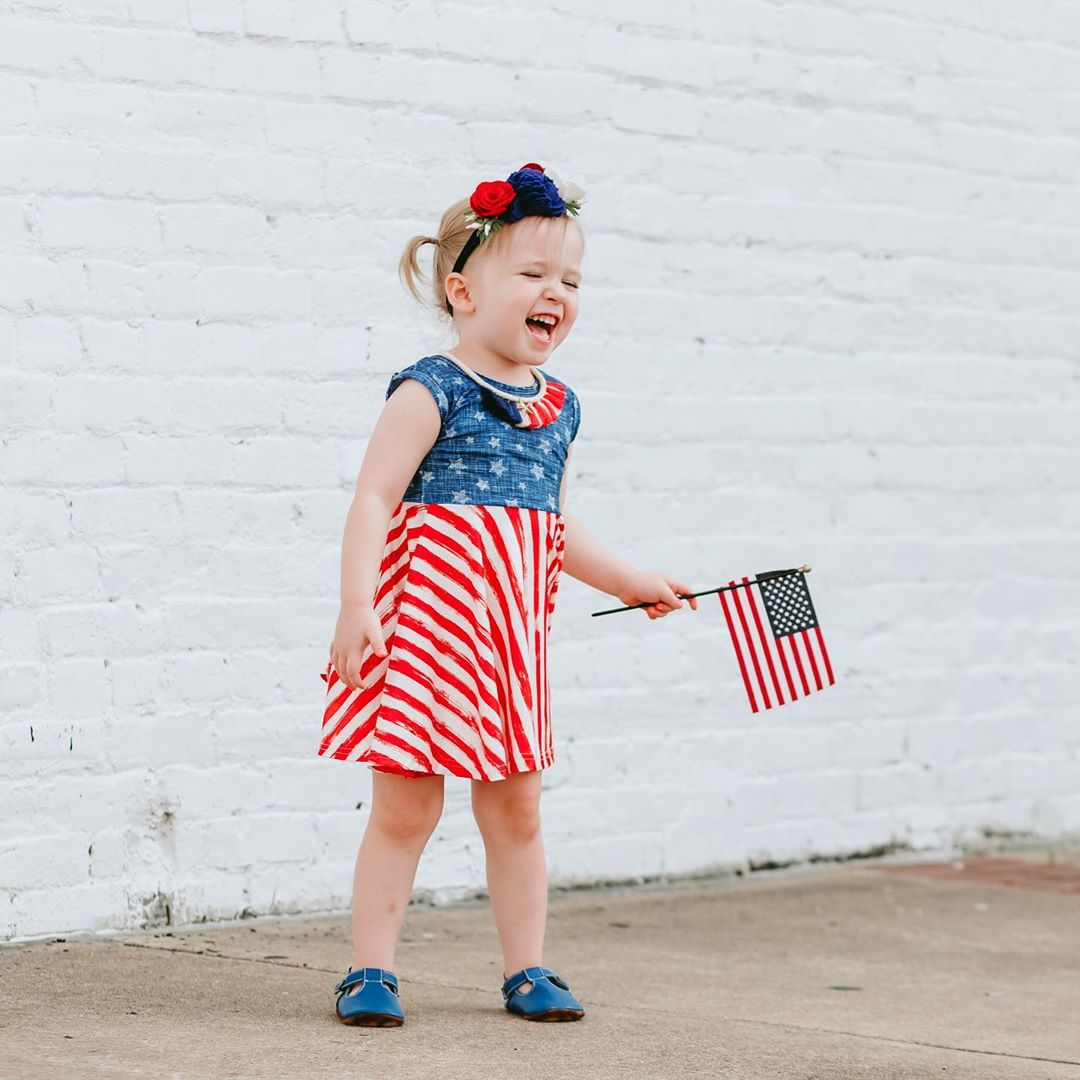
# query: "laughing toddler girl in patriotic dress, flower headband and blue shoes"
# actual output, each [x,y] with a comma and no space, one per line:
[451,562]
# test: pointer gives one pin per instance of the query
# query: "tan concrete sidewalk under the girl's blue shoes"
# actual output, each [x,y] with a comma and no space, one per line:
[857,970]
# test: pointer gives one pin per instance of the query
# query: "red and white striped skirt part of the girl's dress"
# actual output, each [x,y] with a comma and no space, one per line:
[466,598]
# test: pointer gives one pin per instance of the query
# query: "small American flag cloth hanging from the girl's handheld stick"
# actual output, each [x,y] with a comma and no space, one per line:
[789,659]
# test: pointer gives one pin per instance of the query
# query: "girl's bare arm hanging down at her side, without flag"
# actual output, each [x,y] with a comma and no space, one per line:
[404,434]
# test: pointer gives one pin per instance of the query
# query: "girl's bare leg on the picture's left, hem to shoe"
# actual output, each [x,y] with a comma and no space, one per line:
[404,814]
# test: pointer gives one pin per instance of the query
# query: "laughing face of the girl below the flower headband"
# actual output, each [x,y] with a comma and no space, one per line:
[536,272]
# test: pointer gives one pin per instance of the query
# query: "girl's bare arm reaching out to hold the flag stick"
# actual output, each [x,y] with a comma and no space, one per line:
[586,559]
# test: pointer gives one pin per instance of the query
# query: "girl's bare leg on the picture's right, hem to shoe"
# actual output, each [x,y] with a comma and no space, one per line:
[508,814]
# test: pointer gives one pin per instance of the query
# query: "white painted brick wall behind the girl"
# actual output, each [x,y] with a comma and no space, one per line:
[830,317]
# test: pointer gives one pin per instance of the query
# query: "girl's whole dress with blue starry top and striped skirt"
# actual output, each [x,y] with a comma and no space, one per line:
[467,590]
